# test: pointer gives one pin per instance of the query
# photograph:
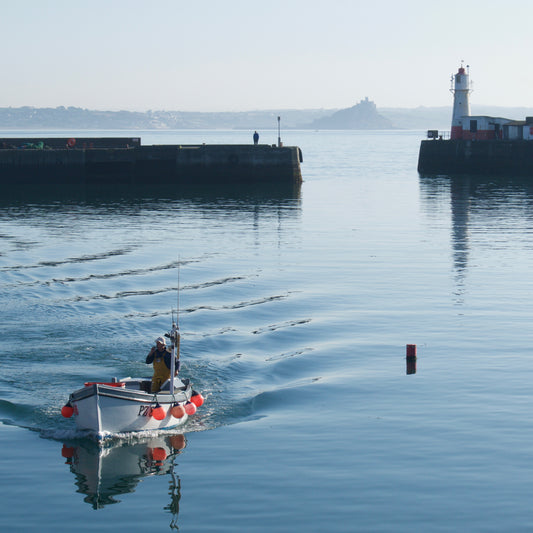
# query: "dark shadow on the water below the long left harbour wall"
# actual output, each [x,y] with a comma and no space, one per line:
[99,194]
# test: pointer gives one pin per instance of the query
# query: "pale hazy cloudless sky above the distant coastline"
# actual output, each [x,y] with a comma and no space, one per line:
[230,55]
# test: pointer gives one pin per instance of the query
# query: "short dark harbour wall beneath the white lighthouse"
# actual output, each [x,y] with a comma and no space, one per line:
[492,157]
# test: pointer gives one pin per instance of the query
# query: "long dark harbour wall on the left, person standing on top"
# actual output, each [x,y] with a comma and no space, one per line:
[92,161]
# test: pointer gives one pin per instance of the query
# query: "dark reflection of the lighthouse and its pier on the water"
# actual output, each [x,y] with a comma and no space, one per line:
[489,198]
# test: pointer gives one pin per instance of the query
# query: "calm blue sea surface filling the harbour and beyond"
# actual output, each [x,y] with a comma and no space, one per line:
[295,311]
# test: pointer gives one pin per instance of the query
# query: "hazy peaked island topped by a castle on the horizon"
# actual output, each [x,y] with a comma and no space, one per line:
[363,116]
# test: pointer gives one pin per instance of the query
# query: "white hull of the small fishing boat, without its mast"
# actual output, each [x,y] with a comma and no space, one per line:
[122,407]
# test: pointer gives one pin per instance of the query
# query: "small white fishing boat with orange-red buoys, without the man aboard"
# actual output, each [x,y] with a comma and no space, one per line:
[127,404]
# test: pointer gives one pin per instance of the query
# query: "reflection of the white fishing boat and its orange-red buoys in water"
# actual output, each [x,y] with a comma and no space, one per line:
[105,472]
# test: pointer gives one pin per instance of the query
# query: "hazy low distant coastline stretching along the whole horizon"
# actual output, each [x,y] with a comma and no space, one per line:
[61,118]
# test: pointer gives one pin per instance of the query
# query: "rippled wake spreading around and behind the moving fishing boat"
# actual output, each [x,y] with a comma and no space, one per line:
[241,362]
